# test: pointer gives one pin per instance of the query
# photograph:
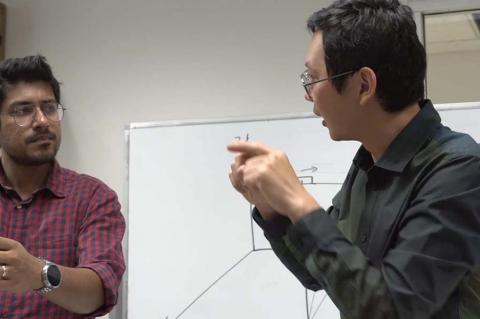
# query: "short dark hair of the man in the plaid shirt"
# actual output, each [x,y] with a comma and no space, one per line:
[28,69]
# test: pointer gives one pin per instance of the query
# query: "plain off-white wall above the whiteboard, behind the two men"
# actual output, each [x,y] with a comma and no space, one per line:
[124,61]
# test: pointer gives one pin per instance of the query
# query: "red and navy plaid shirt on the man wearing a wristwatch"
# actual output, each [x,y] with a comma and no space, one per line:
[74,221]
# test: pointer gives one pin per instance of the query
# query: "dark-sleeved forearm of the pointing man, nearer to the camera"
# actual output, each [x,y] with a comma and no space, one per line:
[356,287]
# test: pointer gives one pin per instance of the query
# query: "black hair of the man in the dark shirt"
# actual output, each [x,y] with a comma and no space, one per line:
[380,34]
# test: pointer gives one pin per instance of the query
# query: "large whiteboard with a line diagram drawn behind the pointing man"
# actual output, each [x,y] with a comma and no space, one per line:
[193,250]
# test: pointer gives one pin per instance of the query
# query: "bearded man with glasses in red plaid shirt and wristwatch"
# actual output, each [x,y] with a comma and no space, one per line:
[60,231]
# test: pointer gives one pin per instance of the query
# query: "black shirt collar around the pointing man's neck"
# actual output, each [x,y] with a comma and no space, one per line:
[404,147]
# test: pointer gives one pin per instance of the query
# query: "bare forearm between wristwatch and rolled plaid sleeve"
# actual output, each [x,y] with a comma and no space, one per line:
[81,291]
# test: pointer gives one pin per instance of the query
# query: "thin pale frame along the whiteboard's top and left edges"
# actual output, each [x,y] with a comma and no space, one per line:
[122,307]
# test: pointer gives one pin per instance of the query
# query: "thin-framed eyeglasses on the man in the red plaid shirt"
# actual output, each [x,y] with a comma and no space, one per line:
[24,114]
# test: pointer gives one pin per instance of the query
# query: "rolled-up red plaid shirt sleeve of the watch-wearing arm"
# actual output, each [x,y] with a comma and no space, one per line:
[100,244]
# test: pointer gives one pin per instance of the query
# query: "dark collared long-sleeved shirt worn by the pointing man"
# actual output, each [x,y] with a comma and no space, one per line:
[402,237]
